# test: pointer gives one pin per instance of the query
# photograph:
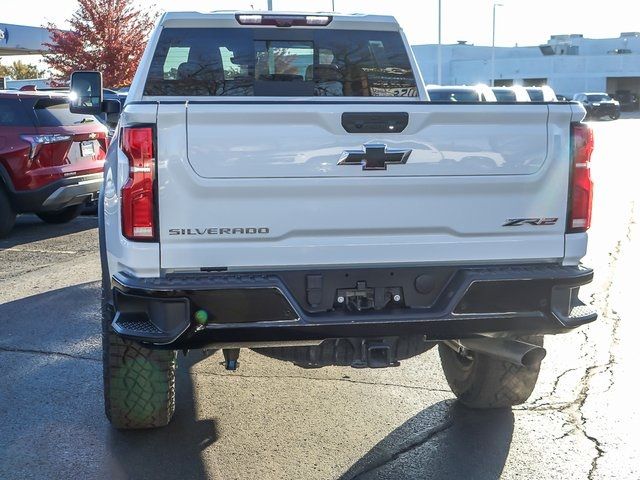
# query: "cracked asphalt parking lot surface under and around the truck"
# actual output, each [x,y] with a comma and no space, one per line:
[271,420]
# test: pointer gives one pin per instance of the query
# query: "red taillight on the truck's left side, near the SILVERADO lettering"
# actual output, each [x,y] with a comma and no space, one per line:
[138,198]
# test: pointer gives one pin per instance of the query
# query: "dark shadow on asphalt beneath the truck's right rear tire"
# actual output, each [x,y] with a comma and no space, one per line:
[466,444]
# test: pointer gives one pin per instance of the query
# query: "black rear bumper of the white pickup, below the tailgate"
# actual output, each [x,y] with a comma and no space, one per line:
[197,311]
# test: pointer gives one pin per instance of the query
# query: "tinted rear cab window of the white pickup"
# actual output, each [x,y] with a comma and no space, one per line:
[278,62]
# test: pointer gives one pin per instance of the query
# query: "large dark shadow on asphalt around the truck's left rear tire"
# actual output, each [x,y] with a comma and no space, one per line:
[50,358]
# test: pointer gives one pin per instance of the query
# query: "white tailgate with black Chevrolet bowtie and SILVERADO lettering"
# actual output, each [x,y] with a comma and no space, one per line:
[262,184]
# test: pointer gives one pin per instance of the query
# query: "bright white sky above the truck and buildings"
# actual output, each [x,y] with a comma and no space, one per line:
[522,22]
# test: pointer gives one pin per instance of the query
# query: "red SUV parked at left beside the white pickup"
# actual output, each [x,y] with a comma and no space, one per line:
[51,160]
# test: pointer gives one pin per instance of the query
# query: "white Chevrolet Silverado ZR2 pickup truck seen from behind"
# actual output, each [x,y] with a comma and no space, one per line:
[281,182]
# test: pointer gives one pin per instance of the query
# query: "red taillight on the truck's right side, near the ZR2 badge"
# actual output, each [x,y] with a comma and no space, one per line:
[580,201]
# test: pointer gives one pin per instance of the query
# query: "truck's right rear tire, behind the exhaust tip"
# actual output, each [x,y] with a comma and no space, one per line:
[486,382]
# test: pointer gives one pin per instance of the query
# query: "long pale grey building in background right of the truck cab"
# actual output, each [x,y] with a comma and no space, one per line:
[568,63]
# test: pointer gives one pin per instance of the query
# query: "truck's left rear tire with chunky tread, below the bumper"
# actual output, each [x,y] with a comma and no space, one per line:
[139,383]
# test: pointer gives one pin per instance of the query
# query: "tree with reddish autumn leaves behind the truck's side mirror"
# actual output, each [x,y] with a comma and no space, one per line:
[105,35]
